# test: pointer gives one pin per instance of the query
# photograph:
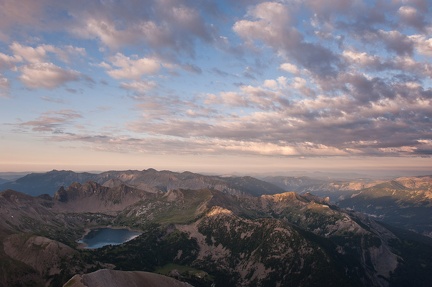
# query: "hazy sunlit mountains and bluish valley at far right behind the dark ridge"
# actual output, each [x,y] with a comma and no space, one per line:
[404,202]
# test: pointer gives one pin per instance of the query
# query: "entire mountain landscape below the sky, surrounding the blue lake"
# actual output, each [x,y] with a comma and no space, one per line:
[228,231]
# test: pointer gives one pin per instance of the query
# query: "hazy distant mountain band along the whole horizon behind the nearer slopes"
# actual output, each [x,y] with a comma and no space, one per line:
[404,202]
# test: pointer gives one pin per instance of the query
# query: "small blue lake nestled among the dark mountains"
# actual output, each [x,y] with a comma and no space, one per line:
[100,237]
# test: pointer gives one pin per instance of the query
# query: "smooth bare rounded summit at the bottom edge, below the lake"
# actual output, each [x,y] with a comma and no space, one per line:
[116,278]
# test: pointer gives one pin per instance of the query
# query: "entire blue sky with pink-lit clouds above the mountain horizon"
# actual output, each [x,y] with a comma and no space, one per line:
[216,86]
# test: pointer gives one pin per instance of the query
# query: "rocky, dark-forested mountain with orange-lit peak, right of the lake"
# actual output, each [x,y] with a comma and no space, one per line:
[260,252]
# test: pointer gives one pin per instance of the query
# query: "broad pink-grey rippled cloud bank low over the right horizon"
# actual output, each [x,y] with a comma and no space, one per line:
[316,126]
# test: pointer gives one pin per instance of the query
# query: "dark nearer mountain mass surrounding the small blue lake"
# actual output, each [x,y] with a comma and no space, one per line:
[214,235]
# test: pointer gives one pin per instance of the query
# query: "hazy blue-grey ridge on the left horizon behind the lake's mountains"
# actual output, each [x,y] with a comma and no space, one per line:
[150,180]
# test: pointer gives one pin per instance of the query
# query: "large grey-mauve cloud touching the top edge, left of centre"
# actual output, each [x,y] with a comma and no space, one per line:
[165,26]
